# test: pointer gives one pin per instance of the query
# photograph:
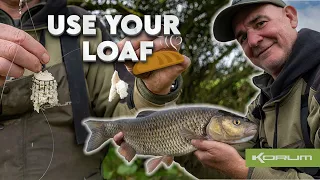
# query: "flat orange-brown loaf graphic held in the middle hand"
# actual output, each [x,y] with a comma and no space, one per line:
[158,60]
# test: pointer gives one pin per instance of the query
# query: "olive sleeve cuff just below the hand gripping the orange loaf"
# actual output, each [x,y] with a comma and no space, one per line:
[142,97]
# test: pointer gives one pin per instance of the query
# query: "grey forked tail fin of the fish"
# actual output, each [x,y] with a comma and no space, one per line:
[99,134]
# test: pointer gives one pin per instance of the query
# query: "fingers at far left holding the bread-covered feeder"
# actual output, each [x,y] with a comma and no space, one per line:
[26,52]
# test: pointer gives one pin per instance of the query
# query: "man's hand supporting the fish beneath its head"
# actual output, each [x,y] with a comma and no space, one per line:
[222,157]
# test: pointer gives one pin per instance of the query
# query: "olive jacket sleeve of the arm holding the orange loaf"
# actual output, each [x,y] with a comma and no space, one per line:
[98,76]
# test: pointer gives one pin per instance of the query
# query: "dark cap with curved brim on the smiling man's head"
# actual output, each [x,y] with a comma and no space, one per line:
[222,27]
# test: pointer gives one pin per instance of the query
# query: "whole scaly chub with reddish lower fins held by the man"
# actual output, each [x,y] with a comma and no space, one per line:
[168,133]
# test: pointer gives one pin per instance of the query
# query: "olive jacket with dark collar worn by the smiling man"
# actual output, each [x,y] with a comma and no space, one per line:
[282,95]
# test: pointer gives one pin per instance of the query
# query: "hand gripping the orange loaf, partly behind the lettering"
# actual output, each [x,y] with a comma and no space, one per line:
[158,81]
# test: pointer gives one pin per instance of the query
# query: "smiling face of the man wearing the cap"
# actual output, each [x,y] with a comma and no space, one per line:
[266,33]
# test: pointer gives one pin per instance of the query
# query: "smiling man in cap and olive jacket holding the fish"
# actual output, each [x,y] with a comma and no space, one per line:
[287,107]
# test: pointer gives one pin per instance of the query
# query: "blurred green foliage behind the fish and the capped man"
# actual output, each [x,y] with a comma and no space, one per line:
[219,73]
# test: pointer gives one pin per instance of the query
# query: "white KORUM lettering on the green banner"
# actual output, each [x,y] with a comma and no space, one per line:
[262,158]
